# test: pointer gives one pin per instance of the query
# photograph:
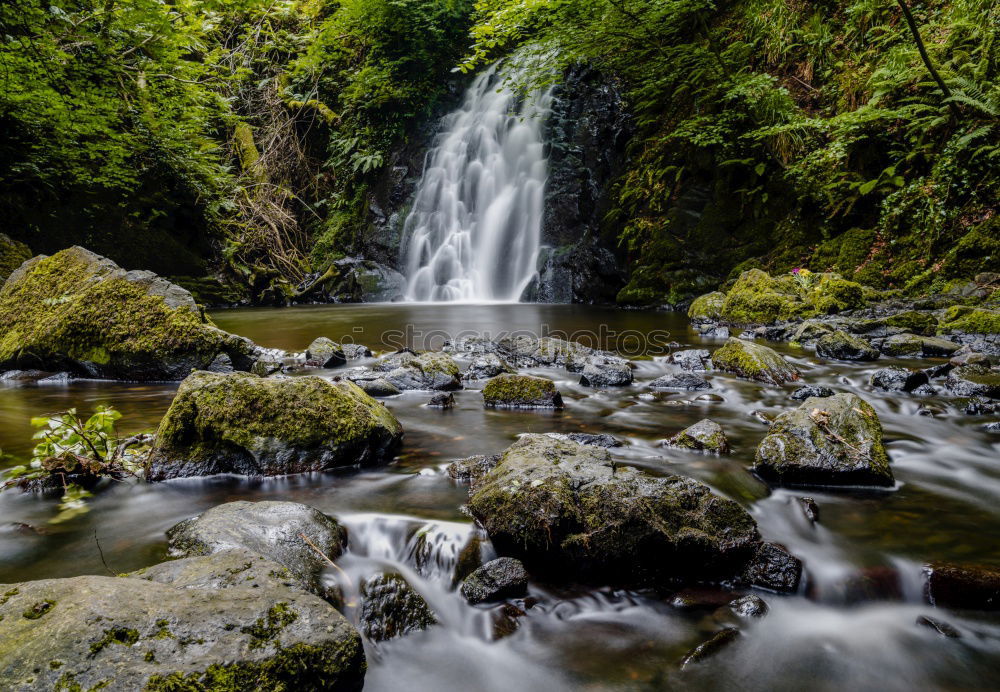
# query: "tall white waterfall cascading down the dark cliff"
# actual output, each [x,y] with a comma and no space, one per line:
[473,230]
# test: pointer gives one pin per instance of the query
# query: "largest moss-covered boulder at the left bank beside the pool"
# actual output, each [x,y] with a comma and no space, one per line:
[81,313]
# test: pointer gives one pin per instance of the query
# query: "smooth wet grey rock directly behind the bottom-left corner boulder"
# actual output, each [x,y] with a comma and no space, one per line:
[271,529]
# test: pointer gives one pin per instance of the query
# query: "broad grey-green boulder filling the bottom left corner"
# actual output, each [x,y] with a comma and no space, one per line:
[89,633]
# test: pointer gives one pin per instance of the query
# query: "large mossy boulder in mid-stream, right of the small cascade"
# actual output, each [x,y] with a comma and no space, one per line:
[568,509]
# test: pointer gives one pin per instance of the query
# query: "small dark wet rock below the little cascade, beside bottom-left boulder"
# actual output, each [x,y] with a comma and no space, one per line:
[390,608]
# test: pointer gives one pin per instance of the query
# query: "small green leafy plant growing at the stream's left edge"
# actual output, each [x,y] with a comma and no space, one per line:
[75,454]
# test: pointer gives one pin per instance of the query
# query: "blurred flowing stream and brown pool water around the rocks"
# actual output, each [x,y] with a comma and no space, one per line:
[852,625]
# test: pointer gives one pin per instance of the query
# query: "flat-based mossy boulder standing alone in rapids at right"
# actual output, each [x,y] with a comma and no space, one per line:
[833,440]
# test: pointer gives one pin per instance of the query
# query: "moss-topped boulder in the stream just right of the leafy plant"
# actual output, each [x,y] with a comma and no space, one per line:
[241,423]
